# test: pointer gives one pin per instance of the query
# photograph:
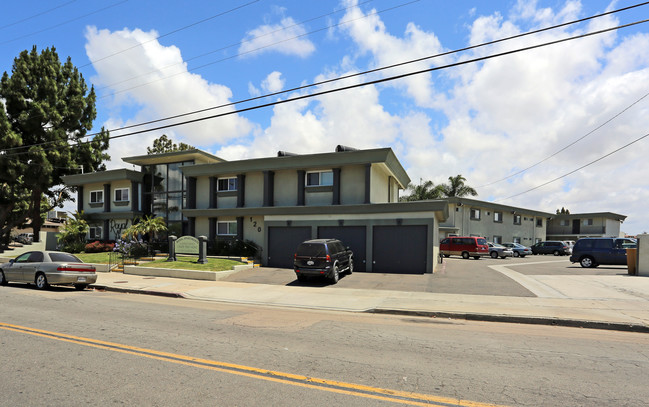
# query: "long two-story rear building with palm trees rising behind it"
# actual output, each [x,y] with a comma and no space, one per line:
[497,223]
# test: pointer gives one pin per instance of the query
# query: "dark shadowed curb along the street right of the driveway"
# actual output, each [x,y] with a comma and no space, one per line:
[515,319]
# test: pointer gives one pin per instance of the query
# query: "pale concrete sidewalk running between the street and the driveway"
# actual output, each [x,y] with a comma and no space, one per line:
[614,304]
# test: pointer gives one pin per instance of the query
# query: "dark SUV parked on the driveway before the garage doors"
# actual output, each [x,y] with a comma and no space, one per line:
[323,257]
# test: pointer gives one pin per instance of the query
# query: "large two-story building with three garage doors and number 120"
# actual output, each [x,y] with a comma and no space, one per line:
[275,202]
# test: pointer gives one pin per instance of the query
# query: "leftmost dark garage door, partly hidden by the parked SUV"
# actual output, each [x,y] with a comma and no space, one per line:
[282,242]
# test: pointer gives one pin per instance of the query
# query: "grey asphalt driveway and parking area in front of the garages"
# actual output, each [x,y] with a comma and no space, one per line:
[455,276]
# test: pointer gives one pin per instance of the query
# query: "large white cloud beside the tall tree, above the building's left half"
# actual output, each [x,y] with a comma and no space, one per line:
[148,96]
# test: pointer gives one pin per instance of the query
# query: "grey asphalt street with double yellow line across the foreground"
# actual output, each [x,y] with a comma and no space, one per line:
[63,347]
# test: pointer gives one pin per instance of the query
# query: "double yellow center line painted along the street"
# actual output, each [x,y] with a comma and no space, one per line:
[352,389]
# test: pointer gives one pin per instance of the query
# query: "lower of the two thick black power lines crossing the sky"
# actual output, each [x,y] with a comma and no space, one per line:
[374,82]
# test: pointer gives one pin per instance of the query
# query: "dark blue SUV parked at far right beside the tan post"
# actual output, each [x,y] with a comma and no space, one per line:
[591,252]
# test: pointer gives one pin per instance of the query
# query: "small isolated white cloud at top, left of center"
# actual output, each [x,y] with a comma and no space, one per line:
[287,37]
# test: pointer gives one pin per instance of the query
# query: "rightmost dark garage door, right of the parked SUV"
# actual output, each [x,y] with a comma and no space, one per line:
[400,249]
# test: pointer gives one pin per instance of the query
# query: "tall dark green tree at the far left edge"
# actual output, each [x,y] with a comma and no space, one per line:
[45,117]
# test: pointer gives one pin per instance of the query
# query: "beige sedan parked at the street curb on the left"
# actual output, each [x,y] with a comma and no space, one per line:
[43,268]
